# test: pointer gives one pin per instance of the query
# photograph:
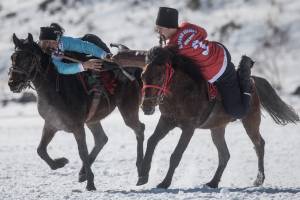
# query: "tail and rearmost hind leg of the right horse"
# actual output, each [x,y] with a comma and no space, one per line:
[280,112]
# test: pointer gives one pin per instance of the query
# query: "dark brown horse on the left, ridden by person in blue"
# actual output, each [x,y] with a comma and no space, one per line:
[65,105]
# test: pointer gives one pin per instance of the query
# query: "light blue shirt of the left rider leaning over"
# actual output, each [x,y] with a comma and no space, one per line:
[76,45]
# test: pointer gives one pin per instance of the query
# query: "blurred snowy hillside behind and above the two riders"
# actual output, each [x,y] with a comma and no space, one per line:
[268,30]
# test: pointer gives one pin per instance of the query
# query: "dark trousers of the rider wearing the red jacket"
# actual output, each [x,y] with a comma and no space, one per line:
[235,102]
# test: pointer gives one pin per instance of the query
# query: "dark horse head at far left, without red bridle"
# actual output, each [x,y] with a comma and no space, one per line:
[25,63]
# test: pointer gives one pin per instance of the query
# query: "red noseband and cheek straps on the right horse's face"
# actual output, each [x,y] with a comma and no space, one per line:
[163,89]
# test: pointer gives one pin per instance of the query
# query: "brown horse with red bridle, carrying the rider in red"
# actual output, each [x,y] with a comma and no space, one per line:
[170,81]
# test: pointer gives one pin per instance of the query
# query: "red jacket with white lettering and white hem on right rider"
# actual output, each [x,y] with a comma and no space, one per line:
[210,56]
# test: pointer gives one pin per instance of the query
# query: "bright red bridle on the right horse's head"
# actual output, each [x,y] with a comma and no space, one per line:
[163,90]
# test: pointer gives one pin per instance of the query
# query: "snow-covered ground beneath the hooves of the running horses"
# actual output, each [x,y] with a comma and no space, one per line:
[25,176]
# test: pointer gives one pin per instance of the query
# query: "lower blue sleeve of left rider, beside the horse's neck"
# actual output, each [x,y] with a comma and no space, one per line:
[67,68]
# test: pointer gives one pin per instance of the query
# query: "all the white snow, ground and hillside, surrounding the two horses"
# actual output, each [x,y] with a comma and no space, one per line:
[23,175]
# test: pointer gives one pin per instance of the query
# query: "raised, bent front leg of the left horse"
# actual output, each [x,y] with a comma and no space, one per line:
[47,136]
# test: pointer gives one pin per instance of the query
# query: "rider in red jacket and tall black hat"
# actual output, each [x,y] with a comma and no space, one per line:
[212,58]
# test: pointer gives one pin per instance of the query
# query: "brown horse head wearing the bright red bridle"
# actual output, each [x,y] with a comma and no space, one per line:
[156,77]
